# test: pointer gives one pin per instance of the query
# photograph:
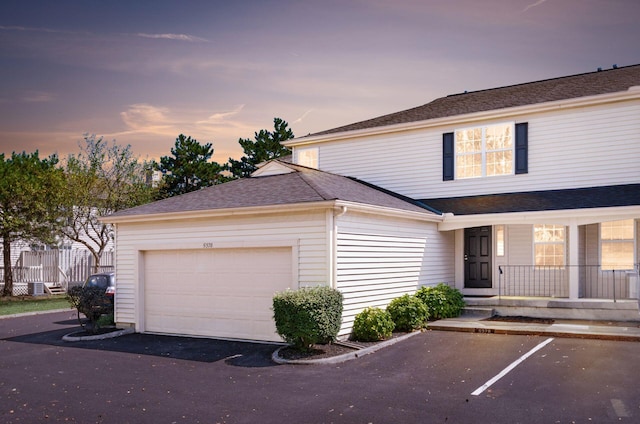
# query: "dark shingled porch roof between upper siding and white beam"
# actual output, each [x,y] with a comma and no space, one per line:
[579,198]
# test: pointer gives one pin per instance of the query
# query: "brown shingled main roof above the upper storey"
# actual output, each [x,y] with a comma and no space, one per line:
[569,87]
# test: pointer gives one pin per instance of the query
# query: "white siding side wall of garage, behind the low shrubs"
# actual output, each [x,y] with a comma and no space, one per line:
[381,259]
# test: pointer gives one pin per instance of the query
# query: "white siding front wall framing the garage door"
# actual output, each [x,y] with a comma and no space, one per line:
[309,229]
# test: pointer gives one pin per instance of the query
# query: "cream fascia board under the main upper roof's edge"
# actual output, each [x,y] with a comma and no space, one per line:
[633,93]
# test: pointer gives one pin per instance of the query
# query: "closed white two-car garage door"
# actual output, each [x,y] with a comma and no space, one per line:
[215,292]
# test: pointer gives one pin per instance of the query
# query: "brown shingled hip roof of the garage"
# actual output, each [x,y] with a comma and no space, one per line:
[300,185]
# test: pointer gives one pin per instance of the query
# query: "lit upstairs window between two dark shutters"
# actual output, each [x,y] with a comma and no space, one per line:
[484,151]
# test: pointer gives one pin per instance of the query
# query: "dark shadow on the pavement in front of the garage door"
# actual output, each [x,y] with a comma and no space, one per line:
[236,353]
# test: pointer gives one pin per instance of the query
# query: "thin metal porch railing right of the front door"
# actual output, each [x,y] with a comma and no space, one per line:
[553,281]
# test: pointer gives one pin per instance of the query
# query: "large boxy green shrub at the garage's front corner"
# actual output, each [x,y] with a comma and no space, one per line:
[308,316]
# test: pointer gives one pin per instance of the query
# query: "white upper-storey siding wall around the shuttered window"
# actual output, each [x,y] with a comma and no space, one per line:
[569,148]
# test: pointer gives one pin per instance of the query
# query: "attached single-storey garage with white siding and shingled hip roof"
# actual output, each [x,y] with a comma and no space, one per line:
[208,263]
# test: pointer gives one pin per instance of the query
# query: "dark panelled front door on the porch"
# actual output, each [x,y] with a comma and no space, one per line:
[477,258]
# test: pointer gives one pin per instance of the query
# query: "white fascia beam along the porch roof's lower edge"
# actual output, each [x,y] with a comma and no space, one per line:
[567,216]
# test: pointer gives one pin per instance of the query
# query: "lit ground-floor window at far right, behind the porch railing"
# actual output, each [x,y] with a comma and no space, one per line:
[616,244]
